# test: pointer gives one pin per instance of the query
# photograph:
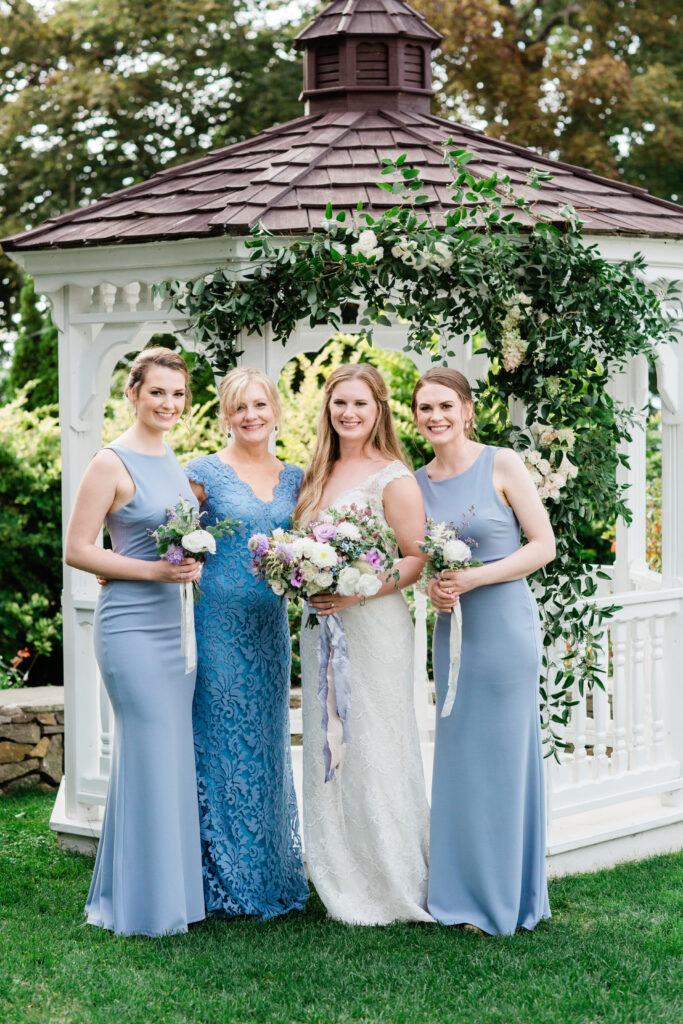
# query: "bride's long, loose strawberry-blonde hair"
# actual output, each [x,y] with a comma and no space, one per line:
[383,440]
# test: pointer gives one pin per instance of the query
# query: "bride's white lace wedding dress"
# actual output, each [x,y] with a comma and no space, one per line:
[366,833]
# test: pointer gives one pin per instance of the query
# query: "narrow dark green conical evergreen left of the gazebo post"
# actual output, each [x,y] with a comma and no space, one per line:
[35,355]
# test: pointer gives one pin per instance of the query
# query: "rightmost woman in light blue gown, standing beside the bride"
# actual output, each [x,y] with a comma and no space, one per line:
[488,841]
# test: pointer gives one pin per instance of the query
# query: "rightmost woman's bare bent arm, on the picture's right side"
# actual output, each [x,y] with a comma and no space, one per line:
[514,480]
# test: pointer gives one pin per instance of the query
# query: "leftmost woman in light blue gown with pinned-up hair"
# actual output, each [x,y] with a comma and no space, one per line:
[148,877]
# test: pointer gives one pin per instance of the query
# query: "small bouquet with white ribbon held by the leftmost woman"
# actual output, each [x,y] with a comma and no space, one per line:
[184,537]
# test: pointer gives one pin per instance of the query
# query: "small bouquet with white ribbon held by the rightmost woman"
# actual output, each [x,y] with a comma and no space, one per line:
[446,550]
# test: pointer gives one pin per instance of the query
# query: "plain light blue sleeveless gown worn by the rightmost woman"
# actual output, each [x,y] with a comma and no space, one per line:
[488,837]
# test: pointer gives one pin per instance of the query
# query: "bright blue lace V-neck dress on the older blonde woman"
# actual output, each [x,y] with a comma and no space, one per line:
[251,847]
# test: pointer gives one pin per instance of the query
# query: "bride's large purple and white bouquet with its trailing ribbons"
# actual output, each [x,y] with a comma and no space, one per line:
[349,552]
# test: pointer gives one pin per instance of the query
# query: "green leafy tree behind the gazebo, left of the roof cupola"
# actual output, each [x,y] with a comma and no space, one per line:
[97,97]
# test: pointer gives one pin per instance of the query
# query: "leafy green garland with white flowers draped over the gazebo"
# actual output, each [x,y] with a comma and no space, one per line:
[557,320]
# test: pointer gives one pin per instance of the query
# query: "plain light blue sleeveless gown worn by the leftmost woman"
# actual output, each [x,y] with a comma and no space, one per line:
[148,878]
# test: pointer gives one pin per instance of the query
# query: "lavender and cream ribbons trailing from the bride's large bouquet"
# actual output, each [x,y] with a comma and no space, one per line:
[334,692]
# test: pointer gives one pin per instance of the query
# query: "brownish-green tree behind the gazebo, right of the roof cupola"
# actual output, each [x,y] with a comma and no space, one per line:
[593,82]
